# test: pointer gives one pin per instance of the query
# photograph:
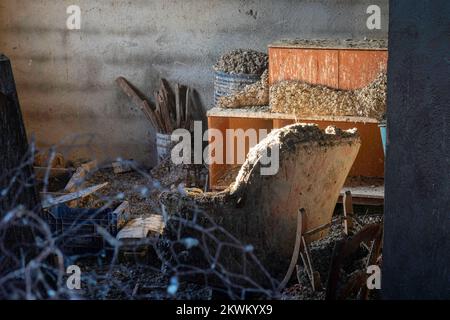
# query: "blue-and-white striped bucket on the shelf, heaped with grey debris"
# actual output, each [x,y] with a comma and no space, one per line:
[226,84]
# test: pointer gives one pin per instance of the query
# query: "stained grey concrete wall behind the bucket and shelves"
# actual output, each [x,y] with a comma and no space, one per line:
[66,78]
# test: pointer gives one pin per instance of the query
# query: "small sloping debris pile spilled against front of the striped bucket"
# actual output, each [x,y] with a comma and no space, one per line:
[256,94]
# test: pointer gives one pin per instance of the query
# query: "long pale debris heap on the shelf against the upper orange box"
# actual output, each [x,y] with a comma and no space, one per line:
[304,99]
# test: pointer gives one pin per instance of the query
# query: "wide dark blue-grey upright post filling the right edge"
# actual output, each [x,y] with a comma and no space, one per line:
[416,251]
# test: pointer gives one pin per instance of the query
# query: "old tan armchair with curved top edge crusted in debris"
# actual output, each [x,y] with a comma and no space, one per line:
[263,210]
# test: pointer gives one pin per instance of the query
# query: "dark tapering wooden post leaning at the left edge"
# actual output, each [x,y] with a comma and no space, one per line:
[16,161]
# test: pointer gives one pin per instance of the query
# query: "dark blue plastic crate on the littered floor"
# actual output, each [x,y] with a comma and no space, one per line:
[76,228]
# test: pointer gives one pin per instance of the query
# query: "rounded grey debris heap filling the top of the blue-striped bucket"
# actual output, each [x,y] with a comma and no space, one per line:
[244,61]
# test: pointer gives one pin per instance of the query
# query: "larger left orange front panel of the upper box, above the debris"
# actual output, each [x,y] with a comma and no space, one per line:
[310,65]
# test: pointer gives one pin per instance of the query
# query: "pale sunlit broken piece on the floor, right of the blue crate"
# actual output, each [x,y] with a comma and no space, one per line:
[142,228]
